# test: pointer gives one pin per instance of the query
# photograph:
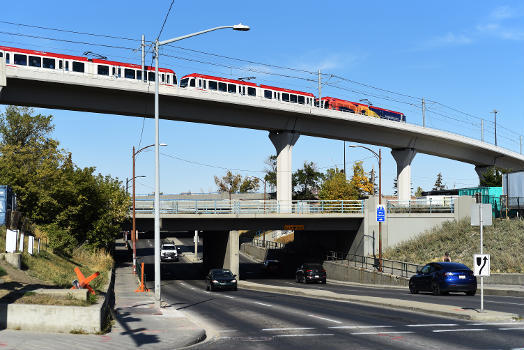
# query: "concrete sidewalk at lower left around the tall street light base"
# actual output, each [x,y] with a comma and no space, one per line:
[138,325]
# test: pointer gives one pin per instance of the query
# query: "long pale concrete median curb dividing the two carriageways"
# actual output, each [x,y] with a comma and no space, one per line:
[420,307]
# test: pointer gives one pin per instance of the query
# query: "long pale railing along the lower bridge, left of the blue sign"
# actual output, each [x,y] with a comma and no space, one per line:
[189,206]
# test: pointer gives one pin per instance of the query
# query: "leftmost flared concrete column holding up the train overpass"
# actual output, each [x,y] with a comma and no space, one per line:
[284,142]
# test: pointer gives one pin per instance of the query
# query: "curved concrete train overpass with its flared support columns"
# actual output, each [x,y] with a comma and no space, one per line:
[285,122]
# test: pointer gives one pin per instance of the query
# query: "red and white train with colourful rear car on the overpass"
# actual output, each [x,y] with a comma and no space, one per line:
[119,70]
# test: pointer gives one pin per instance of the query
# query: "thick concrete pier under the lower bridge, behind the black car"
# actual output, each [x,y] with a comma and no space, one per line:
[221,250]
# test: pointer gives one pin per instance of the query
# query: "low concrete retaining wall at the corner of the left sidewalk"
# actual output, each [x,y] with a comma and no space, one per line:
[58,318]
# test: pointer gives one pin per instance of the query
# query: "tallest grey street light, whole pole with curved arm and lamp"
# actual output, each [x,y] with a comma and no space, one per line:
[240,27]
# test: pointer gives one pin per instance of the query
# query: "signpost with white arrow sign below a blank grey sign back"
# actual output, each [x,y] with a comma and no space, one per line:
[479,213]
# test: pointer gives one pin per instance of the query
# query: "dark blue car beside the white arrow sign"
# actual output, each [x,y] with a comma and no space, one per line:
[442,278]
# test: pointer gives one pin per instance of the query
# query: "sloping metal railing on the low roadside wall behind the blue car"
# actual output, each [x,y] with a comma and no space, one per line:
[394,267]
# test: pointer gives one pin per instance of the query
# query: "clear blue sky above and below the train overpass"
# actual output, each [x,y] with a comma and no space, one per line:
[467,55]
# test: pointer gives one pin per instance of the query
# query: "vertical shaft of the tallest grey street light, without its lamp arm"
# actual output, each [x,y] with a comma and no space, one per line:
[157,186]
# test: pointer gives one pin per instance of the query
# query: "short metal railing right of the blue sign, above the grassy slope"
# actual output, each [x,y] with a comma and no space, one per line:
[444,205]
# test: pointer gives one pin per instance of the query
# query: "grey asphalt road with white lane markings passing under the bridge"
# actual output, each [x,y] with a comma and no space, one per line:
[258,320]
